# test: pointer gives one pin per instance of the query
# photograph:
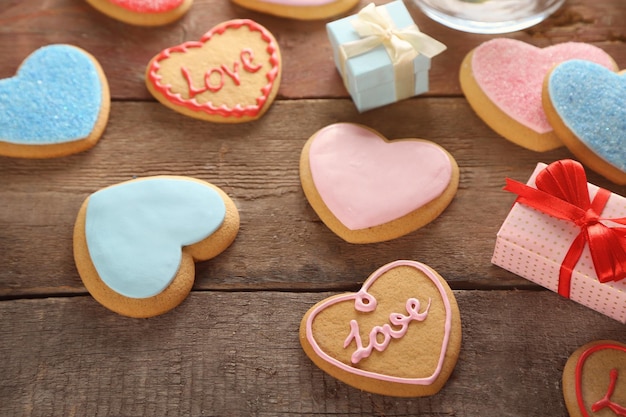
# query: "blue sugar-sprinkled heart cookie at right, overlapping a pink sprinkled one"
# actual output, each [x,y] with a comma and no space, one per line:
[586,104]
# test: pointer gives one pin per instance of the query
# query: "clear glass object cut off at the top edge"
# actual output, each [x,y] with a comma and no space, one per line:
[489,16]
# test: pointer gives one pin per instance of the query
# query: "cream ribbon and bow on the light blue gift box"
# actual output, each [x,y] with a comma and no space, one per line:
[375,27]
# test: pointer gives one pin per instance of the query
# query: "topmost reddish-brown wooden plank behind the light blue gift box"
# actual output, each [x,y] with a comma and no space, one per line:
[124,50]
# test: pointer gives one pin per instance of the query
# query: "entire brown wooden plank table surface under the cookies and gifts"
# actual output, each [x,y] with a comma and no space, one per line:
[231,348]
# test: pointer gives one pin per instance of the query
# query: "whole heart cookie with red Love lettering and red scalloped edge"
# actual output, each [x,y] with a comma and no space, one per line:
[231,75]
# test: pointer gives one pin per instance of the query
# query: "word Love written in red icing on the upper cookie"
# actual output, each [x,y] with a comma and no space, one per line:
[214,83]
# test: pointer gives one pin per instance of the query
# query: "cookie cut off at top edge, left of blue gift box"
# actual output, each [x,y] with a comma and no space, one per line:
[299,9]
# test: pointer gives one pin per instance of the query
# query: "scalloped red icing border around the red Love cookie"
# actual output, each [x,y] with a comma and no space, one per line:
[208,107]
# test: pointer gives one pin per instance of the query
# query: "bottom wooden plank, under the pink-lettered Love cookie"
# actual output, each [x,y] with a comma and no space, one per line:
[238,354]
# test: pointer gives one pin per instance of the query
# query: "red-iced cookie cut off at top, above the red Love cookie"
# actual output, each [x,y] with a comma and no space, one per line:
[143,12]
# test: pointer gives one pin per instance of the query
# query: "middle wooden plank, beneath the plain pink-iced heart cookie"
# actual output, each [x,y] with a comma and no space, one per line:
[282,243]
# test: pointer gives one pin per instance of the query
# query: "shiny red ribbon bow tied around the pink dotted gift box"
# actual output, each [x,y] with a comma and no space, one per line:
[562,193]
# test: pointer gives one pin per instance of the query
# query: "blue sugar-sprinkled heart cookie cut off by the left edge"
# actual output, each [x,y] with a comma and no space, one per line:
[57,104]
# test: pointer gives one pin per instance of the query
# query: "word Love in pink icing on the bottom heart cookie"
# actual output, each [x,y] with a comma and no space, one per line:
[386,331]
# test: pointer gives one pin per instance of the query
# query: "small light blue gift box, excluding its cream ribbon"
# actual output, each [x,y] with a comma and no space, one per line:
[369,77]
